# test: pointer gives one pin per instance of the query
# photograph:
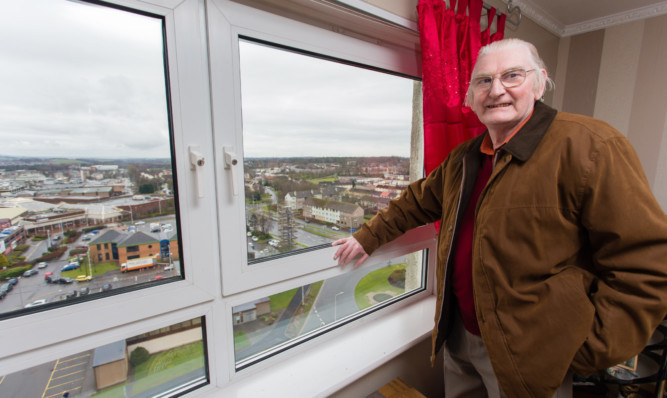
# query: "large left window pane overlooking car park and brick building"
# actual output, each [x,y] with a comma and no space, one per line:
[86,172]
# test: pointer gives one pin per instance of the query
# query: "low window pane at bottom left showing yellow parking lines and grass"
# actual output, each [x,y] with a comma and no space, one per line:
[146,365]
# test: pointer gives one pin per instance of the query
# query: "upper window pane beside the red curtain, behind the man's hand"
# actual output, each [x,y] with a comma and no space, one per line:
[325,145]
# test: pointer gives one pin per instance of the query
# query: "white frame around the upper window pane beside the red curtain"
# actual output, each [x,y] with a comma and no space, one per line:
[227,21]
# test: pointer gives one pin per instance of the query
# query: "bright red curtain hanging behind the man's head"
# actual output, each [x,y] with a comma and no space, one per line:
[450,40]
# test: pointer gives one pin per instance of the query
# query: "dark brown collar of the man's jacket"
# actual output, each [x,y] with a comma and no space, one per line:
[524,142]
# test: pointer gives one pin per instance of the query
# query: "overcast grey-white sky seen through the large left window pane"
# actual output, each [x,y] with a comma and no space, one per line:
[81,80]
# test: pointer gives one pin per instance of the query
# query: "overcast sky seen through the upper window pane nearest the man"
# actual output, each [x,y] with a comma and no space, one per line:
[296,105]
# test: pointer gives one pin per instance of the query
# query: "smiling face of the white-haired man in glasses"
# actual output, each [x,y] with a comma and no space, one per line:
[499,108]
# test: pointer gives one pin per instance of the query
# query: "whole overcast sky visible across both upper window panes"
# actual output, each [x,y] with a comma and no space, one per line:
[81,80]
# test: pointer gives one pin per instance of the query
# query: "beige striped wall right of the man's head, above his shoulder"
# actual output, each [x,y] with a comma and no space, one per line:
[616,75]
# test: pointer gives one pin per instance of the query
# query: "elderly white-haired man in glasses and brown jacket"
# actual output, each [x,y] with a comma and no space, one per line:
[552,249]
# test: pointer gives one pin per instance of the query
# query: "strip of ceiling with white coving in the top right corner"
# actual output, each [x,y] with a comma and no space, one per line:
[570,17]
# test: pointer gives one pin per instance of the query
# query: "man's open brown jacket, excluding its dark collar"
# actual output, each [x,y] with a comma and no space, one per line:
[569,249]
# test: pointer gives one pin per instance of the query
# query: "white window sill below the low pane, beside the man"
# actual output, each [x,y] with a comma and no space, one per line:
[330,366]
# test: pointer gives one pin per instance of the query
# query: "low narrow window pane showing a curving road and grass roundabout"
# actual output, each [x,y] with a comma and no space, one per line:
[271,323]
